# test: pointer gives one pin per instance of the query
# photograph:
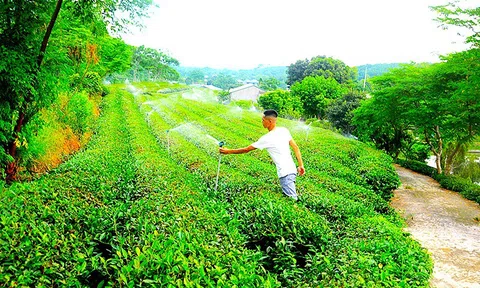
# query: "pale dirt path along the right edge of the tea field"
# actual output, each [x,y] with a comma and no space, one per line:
[443,222]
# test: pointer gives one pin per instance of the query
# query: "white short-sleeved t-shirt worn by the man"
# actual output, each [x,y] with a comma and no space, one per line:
[277,143]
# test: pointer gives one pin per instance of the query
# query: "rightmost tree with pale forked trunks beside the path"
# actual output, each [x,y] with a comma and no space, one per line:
[453,96]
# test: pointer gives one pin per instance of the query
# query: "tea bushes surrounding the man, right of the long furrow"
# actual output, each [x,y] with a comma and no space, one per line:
[340,197]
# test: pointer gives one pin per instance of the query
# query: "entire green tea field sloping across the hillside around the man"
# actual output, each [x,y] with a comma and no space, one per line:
[139,207]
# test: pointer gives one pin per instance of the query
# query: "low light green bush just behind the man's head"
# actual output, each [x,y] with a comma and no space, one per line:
[287,105]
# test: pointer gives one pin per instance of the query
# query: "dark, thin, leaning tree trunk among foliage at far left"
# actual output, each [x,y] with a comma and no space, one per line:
[11,169]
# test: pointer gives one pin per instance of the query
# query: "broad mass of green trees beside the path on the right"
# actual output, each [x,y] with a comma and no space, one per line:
[436,104]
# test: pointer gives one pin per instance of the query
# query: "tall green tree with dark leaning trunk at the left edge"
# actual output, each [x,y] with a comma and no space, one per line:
[27,82]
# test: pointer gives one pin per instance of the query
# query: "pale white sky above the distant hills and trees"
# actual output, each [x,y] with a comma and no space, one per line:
[245,34]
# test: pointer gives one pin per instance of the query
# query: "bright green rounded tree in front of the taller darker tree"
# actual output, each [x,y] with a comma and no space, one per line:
[316,93]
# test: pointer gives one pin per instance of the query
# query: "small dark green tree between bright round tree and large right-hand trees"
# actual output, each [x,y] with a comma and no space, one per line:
[340,113]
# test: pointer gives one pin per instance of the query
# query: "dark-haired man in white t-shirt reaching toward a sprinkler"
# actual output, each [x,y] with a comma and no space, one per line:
[277,142]
